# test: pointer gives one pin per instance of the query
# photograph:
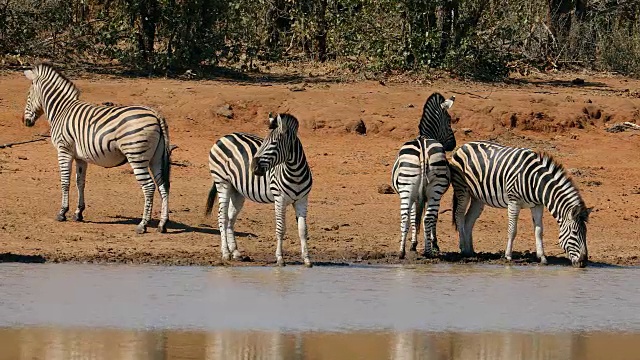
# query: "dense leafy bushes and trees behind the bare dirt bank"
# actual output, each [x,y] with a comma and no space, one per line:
[483,39]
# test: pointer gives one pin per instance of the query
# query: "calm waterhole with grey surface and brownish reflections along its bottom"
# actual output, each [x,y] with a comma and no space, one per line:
[63,311]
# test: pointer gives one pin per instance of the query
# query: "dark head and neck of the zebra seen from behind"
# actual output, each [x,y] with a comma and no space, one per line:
[436,121]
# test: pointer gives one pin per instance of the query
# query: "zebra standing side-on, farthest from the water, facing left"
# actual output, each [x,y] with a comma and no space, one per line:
[107,136]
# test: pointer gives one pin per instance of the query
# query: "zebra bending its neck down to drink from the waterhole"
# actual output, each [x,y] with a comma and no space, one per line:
[484,172]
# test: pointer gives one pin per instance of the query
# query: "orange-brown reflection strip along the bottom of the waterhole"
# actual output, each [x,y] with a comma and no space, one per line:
[98,344]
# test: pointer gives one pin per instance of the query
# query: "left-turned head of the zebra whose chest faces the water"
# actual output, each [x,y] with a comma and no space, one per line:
[277,146]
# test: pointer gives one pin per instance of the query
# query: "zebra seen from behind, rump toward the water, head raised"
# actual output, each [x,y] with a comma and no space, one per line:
[421,173]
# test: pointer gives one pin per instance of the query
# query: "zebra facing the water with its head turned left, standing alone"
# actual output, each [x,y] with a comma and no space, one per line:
[273,170]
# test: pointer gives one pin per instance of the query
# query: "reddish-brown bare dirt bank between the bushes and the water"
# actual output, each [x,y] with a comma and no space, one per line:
[349,220]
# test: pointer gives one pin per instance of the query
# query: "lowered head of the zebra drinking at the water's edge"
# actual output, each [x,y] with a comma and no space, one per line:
[573,235]
